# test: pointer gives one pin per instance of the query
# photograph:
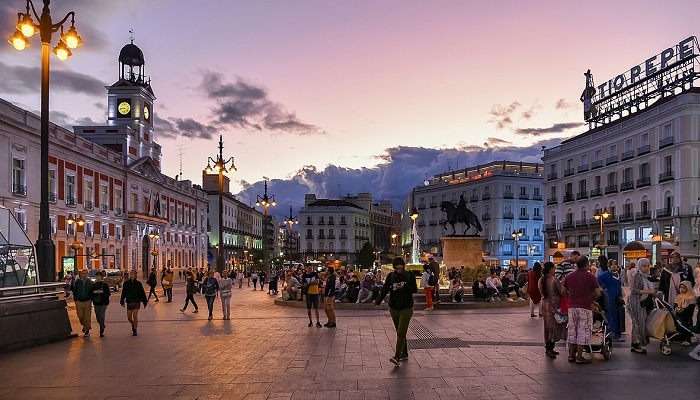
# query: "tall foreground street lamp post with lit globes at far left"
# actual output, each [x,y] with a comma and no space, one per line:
[45,248]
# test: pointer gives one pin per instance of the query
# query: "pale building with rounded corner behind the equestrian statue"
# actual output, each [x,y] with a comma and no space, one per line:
[506,196]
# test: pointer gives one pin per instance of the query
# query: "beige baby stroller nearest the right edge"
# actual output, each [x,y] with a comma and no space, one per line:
[664,325]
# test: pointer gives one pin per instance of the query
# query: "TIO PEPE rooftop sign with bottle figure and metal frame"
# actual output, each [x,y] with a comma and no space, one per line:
[669,72]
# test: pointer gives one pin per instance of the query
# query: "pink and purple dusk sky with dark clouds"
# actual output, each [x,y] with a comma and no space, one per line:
[336,97]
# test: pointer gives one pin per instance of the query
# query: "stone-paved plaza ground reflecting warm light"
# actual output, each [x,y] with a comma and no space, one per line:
[268,352]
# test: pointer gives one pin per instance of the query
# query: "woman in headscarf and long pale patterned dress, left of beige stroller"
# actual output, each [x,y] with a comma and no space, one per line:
[641,292]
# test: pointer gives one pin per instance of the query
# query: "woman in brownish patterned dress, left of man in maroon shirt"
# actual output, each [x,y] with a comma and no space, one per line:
[550,289]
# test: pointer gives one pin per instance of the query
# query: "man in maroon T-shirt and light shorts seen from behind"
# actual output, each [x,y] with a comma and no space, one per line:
[582,289]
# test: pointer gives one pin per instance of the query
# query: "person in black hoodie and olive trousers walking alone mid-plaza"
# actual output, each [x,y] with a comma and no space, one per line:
[400,285]
